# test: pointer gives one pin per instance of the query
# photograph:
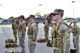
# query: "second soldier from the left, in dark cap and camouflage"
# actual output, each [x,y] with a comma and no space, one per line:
[21,32]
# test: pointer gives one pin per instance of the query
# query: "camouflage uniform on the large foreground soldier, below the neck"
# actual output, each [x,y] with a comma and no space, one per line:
[60,36]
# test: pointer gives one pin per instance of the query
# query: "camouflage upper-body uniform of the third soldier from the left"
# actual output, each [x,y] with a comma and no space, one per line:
[32,30]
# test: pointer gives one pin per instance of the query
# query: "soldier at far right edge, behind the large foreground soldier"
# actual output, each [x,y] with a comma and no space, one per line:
[76,33]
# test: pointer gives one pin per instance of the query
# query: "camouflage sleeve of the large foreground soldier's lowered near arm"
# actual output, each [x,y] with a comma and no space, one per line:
[66,33]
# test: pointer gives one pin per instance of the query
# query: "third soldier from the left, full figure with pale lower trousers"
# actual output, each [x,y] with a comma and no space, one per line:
[32,34]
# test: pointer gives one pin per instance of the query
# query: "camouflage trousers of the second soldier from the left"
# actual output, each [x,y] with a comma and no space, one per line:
[22,40]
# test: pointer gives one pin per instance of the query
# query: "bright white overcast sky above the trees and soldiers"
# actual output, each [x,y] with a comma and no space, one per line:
[26,7]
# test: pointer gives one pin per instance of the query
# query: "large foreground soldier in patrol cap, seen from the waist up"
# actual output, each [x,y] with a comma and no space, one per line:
[60,33]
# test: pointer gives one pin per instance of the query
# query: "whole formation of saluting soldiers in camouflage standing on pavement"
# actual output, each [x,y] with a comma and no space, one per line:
[60,32]
